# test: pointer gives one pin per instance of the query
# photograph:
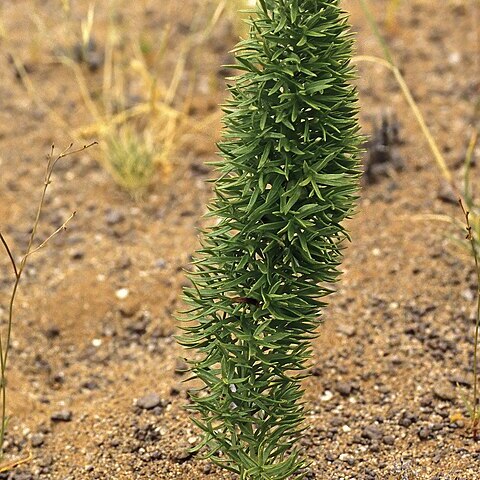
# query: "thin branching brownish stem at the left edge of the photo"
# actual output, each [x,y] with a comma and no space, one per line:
[18,269]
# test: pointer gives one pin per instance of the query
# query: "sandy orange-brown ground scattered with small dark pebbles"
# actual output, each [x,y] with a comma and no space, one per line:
[95,376]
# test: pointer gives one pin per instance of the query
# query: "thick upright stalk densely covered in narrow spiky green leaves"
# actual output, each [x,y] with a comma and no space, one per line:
[288,178]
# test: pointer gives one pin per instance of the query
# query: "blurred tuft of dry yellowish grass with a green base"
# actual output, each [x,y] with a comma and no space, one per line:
[136,138]
